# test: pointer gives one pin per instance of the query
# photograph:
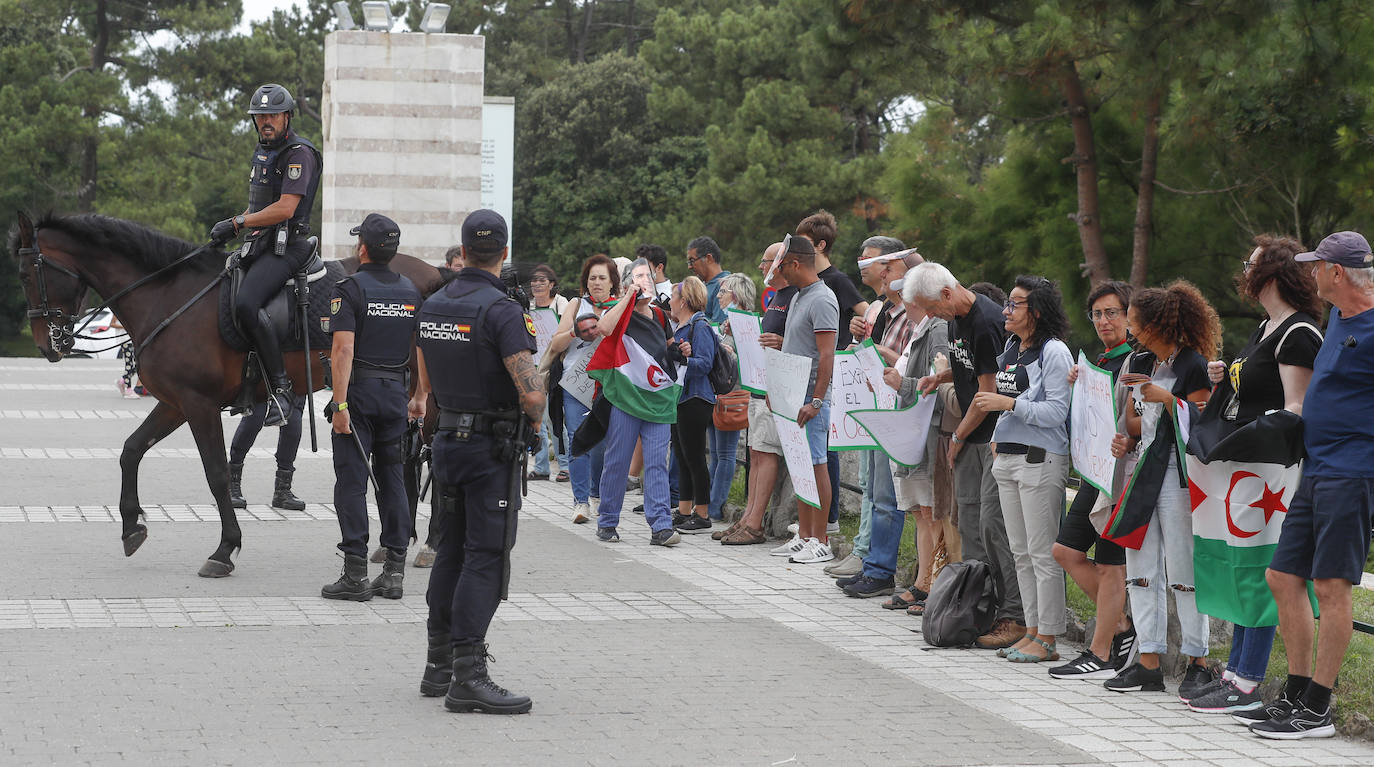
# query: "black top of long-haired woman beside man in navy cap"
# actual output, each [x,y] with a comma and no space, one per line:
[1255,375]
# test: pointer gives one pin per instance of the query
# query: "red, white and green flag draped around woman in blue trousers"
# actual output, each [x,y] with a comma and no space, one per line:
[634,370]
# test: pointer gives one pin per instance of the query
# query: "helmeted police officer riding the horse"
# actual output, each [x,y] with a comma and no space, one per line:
[282,185]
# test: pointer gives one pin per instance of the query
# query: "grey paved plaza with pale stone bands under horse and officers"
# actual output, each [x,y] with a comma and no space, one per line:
[634,655]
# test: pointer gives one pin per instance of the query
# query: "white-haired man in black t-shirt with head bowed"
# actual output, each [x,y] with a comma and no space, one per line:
[976,340]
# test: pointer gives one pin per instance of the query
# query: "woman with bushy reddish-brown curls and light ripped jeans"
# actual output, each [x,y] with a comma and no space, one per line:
[1182,332]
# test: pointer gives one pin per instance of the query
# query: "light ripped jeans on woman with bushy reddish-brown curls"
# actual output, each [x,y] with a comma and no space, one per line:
[1164,563]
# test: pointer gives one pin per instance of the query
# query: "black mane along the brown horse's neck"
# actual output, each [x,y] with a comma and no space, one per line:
[145,248]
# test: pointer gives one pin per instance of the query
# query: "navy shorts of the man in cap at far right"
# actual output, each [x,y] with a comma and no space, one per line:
[1327,531]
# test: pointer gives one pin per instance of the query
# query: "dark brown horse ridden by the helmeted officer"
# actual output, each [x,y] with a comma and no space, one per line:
[190,370]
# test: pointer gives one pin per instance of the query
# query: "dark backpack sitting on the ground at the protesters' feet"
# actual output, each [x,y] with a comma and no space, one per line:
[961,607]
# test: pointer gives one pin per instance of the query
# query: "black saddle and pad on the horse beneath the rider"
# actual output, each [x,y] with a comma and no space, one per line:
[317,280]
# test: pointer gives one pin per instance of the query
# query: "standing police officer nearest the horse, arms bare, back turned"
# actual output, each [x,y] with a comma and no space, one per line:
[373,324]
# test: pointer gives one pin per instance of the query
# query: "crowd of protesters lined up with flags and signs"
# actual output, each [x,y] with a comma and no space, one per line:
[997,464]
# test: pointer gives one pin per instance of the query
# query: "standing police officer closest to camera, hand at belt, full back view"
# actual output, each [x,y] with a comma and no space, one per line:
[476,353]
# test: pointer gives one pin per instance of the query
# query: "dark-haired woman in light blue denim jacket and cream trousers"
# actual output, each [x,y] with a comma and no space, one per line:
[1033,463]
